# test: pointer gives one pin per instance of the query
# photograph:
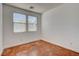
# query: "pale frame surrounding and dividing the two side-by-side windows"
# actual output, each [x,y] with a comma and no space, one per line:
[26,24]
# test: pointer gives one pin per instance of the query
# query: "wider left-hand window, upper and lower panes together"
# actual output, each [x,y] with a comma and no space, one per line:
[19,22]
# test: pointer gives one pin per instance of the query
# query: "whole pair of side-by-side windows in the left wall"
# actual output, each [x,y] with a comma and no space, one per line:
[21,24]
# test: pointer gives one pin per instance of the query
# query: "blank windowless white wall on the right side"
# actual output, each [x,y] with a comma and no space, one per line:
[61,26]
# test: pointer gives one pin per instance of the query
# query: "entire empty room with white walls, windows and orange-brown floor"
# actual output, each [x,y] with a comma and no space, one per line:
[39,29]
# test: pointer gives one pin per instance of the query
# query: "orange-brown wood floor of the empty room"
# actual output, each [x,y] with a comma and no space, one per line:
[56,50]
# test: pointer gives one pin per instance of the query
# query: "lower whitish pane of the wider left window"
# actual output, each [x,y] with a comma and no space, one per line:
[19,27]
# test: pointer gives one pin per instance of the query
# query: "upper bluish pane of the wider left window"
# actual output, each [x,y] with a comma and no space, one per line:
[17,17]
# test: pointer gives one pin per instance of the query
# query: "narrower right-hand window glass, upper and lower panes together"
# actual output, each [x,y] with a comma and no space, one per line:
[32,23]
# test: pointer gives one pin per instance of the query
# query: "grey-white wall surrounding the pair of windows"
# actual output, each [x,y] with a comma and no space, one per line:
[11,38]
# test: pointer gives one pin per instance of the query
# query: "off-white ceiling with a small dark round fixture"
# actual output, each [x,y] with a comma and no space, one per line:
[36,7]
